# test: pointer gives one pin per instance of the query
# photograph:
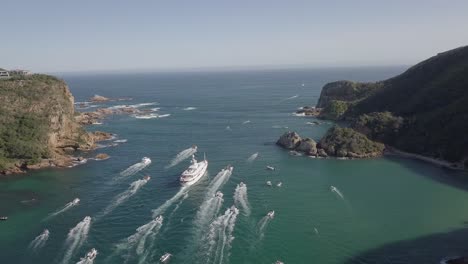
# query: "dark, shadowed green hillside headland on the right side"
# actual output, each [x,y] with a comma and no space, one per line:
[423,110]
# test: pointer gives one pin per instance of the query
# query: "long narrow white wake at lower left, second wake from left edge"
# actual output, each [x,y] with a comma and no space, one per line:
[76,237]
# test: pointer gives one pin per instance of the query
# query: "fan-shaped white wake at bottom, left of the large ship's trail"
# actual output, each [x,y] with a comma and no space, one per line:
[140,243]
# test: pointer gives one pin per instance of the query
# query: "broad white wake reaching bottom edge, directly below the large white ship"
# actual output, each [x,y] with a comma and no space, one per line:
[219,237]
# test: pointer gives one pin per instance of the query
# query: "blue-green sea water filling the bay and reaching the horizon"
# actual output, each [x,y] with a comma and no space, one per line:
[392,211]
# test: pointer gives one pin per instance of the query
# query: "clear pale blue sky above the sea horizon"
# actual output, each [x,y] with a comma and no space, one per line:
[50,36]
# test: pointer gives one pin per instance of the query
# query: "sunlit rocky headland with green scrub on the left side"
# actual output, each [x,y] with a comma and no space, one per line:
[37,123]
